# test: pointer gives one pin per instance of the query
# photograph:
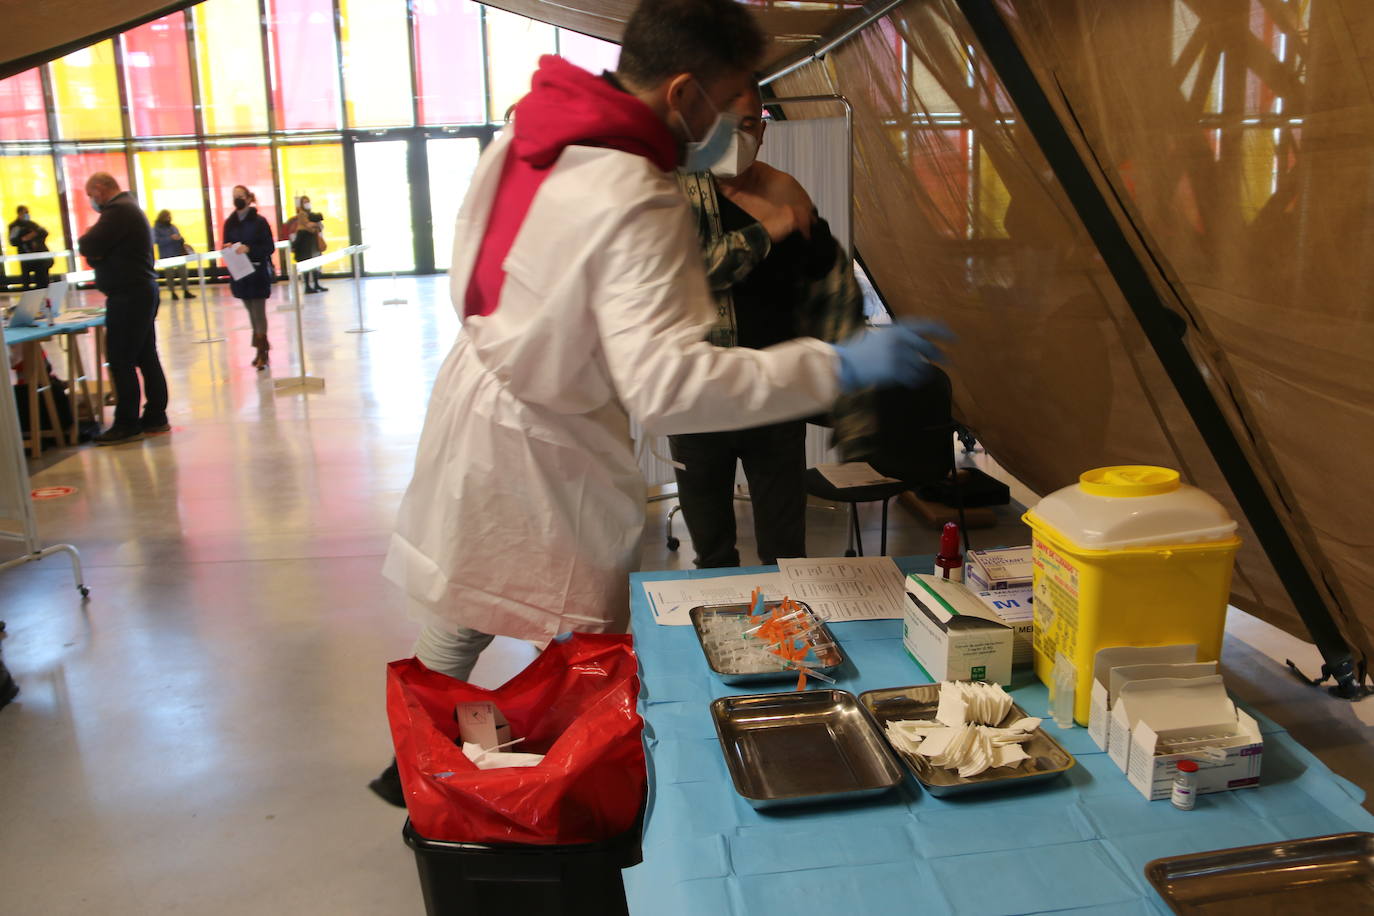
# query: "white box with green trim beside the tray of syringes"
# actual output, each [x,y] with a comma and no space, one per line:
[953,635]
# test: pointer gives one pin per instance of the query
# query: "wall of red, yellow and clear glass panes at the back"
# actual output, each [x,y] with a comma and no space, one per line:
[271,94]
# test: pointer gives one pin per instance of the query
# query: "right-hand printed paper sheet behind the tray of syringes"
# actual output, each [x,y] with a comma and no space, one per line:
[847,588]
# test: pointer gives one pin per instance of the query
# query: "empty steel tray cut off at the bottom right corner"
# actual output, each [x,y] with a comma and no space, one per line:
[1320,875]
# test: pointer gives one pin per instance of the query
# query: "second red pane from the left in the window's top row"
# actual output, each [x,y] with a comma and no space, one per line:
[157,72]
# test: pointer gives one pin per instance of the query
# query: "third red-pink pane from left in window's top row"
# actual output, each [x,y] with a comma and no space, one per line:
[306,65]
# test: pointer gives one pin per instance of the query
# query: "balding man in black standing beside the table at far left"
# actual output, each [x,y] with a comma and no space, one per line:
[120,251]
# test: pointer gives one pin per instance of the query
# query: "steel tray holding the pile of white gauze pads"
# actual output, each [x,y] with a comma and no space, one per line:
[1048,757]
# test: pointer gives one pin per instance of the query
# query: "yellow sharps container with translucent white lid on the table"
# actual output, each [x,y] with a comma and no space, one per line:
[1127,557]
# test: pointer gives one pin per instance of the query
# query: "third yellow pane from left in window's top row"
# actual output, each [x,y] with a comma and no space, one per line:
[377,56]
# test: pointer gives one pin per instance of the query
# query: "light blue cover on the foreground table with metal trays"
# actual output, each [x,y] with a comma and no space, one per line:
[1075,845]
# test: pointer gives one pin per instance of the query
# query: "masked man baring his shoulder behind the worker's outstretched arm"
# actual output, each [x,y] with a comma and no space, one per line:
[777,274]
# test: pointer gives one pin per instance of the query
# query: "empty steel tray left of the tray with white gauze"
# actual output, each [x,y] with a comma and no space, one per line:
[804,746]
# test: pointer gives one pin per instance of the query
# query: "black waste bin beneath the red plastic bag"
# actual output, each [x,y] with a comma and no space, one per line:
[482,880]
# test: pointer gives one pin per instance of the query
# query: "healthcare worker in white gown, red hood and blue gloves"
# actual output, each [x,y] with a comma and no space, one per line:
[585,306]
